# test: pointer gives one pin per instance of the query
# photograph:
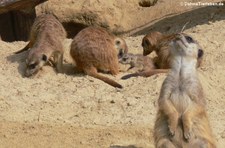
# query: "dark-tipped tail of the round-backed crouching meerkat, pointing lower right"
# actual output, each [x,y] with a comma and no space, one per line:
[105,79]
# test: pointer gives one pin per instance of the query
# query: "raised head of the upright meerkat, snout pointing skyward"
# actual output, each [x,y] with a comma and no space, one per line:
[185,45]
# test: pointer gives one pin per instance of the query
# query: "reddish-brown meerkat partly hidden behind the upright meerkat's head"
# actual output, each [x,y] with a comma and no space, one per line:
[158,42]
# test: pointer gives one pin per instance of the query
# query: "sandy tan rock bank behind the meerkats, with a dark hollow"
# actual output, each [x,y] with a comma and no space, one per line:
[118,16]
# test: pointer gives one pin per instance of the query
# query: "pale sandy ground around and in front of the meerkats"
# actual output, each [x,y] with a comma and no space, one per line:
[59,110]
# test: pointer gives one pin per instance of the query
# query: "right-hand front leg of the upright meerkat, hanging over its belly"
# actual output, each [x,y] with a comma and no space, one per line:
[187,119]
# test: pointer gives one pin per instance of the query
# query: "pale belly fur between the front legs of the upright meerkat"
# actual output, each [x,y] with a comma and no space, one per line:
[180,100]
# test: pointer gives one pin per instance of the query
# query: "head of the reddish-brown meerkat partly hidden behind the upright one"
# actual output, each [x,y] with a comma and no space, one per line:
[150,41]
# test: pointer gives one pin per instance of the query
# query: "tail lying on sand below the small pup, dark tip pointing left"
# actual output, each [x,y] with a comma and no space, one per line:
[145,73]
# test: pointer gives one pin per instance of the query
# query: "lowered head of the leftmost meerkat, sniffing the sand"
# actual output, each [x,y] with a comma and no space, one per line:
[34,63]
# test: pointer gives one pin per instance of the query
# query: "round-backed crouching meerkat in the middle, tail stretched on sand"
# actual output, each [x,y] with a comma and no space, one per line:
[94,49]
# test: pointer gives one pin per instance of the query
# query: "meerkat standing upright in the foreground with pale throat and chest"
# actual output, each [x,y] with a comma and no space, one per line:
[182,121]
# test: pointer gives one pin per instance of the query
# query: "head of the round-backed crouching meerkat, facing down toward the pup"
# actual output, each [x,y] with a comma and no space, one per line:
[121,47]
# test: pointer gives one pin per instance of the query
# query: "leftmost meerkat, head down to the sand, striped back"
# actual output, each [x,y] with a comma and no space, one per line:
[46,37]
